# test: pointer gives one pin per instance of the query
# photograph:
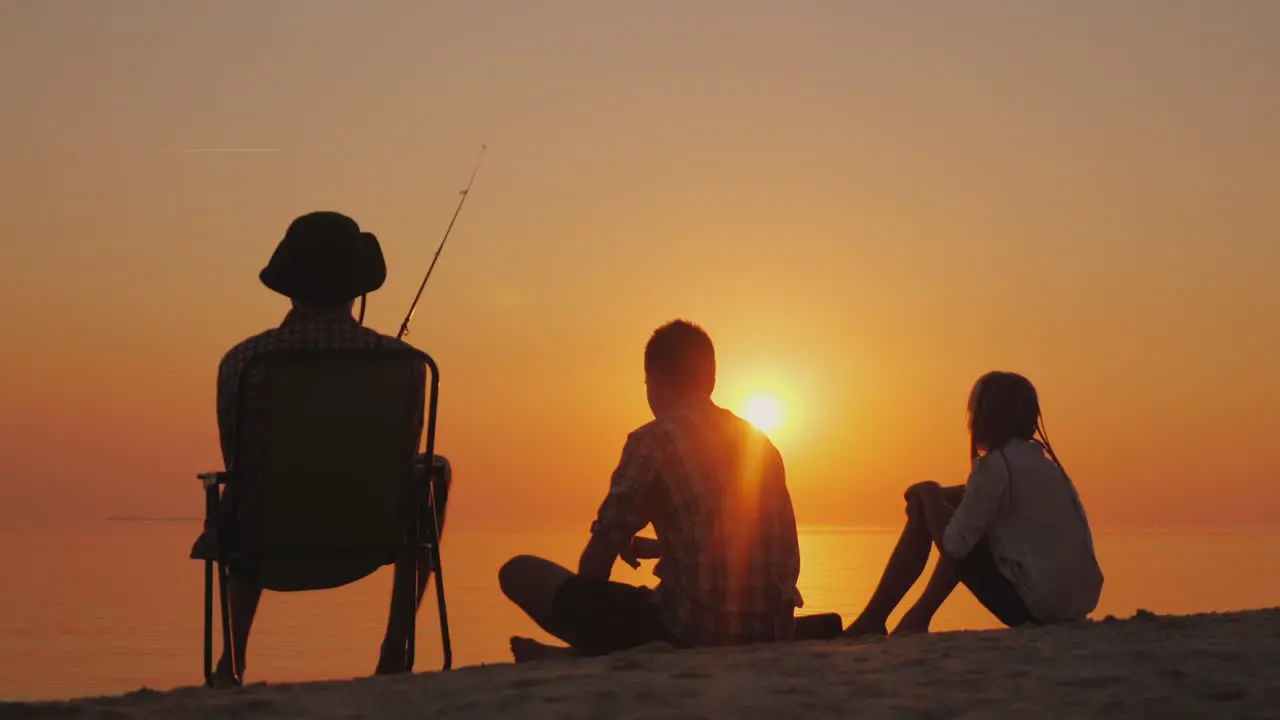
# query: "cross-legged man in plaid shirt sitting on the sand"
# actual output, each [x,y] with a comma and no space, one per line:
[715,490]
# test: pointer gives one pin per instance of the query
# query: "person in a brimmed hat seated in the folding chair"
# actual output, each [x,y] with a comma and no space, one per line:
[323,265]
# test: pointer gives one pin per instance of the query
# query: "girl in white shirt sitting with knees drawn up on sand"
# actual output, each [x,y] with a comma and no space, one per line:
[1016,534]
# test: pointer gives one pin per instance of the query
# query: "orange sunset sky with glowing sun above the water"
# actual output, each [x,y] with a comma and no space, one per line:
[866,204]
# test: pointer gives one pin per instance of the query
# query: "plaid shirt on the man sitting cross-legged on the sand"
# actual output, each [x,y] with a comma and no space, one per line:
[715,490]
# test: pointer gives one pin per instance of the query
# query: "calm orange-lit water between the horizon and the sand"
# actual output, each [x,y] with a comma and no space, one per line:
[113,607]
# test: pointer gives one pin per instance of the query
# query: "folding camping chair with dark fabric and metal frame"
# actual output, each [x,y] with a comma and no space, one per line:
[330,494]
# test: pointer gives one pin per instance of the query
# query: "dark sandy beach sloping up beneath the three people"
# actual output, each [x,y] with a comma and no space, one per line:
[1219,666]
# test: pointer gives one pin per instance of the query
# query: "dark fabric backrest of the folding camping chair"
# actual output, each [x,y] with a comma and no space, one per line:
[333,475]
